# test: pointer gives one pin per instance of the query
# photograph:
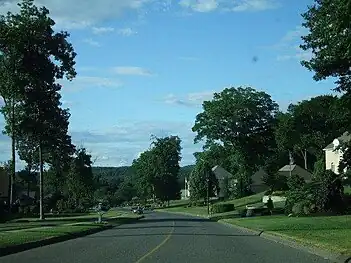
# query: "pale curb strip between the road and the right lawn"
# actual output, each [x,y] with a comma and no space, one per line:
[285,240]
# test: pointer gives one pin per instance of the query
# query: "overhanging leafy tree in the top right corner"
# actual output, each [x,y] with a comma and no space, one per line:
[329,40]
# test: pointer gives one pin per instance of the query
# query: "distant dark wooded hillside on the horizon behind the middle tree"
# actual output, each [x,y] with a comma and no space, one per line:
[116,174]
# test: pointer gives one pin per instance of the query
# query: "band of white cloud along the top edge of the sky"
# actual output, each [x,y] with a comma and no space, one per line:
[82,14]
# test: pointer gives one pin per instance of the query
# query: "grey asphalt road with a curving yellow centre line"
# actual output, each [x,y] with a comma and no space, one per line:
[166,238]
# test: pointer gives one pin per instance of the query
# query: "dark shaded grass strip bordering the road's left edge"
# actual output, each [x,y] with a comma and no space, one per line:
[49,241]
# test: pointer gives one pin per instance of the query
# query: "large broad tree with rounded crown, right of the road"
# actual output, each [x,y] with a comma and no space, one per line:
[242,120]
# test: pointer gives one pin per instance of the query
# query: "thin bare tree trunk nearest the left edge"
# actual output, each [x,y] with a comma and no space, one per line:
[13,153]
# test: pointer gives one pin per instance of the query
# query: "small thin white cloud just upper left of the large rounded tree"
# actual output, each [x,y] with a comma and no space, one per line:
[190,100]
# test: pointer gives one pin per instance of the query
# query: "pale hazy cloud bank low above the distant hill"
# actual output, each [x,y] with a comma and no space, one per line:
[122,143]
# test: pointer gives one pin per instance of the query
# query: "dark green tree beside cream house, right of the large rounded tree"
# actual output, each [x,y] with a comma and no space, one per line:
[309,126]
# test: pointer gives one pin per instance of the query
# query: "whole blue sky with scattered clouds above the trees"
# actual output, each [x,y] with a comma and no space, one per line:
[145,66]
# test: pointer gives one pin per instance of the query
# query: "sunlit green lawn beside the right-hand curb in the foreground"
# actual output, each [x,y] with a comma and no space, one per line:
[330,233]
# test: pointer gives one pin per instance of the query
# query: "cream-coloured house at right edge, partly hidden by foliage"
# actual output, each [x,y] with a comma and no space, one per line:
[333,155]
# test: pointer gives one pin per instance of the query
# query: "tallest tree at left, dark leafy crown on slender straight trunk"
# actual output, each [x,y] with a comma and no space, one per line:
[45,57]
